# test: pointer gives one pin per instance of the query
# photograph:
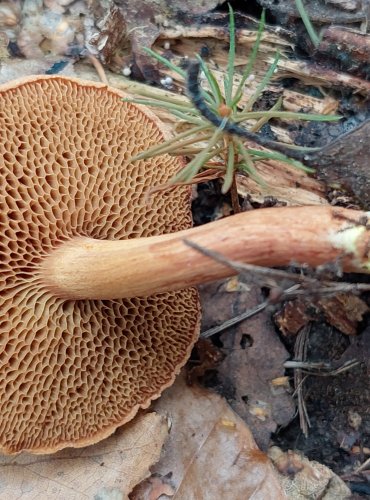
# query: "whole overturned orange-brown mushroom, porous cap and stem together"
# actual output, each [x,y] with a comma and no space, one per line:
[97,316]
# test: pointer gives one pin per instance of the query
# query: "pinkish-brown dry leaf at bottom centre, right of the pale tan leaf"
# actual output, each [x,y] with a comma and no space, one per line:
[210,453]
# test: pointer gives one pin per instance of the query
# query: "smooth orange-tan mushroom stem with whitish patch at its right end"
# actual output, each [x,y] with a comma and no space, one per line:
[85,268]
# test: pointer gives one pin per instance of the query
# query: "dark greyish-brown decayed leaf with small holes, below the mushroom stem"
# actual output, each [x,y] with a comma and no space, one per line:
[254,357]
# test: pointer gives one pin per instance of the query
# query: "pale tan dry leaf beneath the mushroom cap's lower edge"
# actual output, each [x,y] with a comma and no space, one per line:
[108,470]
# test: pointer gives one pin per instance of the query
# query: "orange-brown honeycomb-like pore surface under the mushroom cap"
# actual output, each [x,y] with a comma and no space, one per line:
[72,371]
